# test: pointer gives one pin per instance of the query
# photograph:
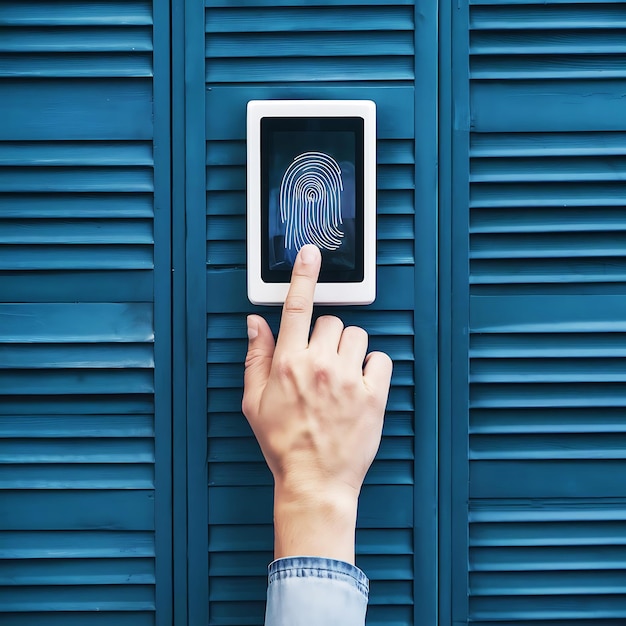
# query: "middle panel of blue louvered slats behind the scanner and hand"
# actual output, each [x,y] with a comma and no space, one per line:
[335,50]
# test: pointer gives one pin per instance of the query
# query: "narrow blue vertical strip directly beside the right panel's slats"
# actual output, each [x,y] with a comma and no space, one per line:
[454,130]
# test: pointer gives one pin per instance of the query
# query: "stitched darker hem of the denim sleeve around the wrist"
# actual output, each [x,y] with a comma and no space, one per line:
[318,567]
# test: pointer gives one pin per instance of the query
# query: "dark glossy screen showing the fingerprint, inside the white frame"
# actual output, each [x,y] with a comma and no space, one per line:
[312,192]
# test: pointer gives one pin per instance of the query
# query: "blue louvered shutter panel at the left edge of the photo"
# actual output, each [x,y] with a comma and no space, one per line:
[78,458]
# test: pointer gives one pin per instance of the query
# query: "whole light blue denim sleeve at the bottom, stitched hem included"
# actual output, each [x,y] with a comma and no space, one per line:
[314,591]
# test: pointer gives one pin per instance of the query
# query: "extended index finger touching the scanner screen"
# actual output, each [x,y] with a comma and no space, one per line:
[295,322]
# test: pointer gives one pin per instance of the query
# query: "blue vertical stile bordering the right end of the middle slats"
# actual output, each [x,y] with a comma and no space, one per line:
[425,525]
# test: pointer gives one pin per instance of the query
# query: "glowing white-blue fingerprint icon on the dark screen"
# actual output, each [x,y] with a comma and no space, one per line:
[310,202]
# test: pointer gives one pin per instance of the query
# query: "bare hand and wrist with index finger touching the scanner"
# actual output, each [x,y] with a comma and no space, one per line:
[316,407]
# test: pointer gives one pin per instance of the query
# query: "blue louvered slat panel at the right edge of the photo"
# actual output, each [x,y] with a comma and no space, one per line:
[547,508]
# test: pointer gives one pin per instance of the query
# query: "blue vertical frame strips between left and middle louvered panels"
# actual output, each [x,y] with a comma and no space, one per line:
[190,571]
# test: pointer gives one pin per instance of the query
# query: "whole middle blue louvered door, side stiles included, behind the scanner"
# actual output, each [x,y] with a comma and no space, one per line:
[333,50]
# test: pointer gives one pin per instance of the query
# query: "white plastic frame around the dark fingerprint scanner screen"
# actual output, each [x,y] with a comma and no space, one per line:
[261,292]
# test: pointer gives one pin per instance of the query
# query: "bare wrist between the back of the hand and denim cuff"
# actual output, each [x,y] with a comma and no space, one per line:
[314,522]
